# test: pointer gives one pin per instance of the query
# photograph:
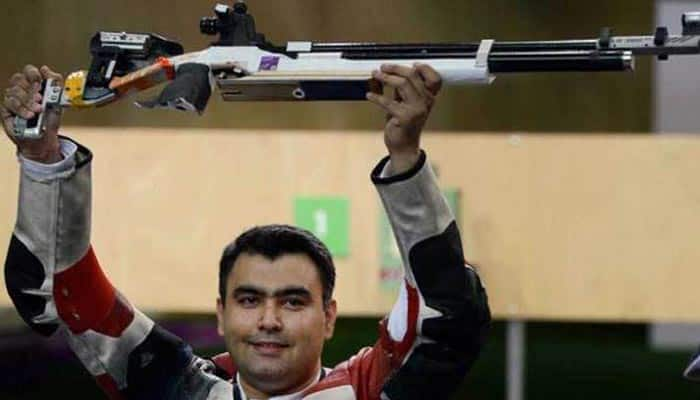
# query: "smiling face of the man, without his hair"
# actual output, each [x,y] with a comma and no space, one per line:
[274,322]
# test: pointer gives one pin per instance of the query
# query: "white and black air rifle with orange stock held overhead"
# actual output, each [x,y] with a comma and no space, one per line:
[243,65]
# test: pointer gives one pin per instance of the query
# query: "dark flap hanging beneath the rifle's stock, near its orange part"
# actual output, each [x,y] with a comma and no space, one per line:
[190,91]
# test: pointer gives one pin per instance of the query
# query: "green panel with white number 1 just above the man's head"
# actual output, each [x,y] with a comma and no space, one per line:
[327,218]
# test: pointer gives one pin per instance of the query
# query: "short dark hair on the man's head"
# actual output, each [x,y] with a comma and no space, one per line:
[273,241]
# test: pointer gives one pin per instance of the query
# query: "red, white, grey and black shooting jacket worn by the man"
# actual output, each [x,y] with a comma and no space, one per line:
[425,347]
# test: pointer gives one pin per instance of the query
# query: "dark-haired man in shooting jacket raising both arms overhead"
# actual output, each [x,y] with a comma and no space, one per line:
[275,307]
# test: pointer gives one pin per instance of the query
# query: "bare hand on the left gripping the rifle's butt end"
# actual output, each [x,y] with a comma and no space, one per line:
[22,98]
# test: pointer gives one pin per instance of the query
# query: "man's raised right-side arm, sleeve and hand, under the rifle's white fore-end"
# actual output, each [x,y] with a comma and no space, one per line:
[439,323]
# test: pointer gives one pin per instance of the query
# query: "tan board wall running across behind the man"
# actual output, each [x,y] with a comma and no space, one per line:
[561,227]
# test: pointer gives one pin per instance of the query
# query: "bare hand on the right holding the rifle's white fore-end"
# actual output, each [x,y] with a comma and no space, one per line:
[415,89]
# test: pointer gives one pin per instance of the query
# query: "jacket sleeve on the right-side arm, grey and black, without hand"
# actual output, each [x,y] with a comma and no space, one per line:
[440,322]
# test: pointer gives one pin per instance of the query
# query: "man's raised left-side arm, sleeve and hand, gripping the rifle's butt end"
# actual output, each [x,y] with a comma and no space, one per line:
[55,280]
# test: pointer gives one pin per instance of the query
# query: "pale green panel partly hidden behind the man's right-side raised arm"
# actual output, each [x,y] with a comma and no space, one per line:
[389,256]
